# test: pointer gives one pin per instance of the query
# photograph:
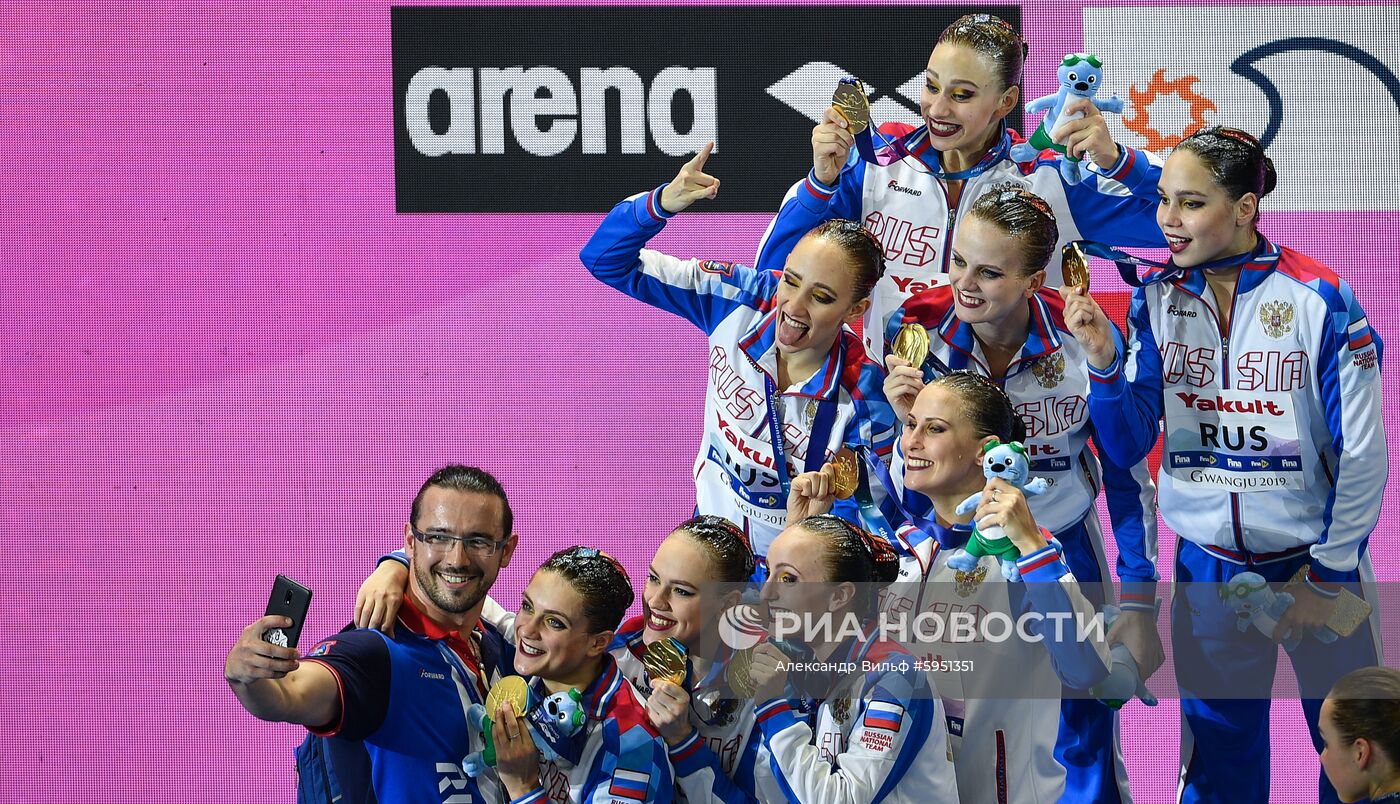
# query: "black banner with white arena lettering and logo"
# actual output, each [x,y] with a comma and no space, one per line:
[573,109]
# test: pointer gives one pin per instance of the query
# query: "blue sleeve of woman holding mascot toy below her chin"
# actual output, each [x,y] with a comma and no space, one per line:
[1053,593]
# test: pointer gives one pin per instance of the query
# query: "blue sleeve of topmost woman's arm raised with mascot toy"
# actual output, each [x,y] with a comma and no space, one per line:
[1118,207]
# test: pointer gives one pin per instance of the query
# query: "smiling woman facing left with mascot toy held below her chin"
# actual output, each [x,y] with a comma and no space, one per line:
[1003,695]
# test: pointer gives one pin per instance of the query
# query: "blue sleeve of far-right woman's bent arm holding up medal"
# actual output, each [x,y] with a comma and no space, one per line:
[1126,398]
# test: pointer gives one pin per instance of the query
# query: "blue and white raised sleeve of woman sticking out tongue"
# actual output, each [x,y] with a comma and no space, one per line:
[701,291]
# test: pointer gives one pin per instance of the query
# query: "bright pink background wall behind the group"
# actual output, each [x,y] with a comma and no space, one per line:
[225,356]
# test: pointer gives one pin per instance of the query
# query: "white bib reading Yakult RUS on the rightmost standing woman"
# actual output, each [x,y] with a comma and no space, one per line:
[1233,441]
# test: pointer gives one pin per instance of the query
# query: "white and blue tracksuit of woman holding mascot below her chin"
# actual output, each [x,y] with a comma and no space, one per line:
[1002,698]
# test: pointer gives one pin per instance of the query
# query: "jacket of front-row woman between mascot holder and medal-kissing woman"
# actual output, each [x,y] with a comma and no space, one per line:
[723,726]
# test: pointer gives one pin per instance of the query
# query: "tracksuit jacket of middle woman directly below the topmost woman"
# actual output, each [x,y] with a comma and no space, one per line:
[1049,387]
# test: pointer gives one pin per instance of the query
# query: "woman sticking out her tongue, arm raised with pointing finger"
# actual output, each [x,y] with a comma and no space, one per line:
[789,383]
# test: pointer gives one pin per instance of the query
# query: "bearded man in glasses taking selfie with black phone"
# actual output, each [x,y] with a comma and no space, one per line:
[405,695]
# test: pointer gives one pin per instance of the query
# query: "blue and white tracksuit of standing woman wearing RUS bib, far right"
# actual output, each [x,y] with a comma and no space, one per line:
[1275,459]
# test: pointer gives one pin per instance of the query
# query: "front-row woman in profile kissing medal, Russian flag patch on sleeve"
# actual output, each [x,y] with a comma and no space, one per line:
[842,715]
